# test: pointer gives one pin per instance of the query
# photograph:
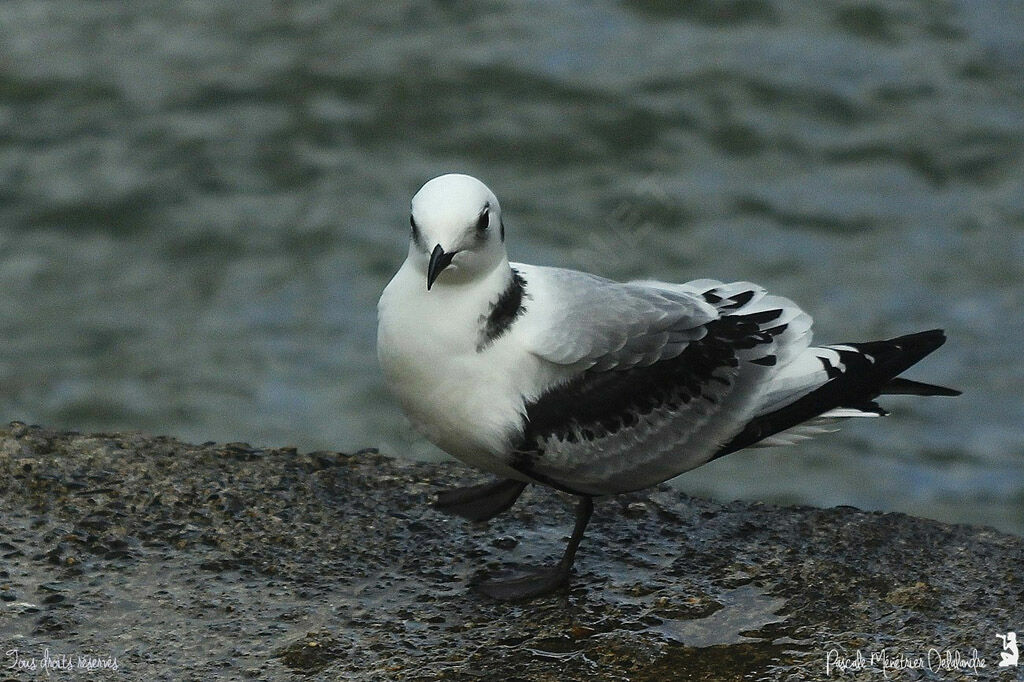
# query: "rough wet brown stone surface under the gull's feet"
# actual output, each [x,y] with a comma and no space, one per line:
[233,563]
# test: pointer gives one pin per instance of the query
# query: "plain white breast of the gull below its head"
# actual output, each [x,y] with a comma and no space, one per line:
[466,402]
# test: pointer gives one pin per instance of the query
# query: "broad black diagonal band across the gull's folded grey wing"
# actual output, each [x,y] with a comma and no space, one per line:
[599,404]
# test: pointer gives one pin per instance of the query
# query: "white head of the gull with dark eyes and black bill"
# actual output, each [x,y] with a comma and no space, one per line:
[457,229]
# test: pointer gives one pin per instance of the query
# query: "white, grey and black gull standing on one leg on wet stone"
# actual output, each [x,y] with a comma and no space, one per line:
[549,376]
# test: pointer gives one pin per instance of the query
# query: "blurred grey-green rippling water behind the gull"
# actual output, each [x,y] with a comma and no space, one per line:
[201,201]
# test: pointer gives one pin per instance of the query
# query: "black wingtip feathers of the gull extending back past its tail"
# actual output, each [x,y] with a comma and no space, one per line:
[869,370]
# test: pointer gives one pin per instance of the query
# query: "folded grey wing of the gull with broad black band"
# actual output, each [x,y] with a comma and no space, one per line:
[665,376]
